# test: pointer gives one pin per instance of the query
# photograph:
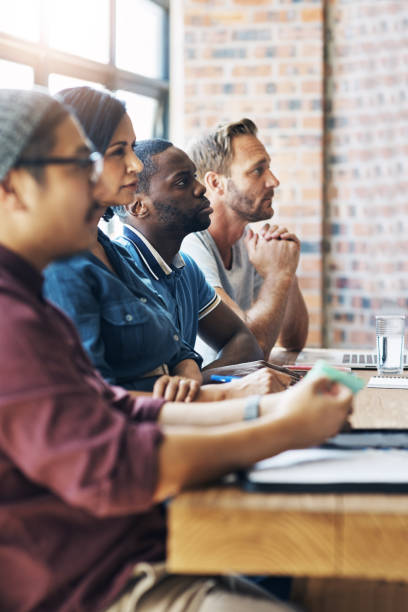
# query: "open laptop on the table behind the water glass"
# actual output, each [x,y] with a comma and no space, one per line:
[355,359]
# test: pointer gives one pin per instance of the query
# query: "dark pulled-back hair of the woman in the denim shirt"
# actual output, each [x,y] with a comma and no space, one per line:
[99,113]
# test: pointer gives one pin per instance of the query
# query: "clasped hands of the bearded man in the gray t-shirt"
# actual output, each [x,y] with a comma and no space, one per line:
[276,257]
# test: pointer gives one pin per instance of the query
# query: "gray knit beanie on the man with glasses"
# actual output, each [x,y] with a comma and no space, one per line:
[20,113]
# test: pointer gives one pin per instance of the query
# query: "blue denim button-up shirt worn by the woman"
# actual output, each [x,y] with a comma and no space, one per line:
[124,325]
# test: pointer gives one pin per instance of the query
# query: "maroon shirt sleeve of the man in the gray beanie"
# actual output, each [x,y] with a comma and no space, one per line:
[63,428]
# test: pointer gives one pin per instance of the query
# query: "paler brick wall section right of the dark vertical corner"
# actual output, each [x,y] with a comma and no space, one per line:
[367,167]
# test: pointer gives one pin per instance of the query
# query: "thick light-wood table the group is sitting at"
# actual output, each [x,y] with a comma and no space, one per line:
[219,529]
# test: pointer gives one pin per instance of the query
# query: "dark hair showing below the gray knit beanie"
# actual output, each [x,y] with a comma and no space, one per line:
[43,139]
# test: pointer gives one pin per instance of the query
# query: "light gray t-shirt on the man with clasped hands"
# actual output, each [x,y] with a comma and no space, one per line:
[242,282]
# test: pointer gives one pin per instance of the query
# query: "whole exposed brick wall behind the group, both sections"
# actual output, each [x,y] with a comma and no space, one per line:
[264,59]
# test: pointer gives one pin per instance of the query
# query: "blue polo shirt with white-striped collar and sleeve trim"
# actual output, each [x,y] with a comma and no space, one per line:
[182,285]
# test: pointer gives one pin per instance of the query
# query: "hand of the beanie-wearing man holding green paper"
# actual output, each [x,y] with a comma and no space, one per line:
[313,409]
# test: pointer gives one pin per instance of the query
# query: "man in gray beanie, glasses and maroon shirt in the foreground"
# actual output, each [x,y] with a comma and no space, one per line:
[84,466]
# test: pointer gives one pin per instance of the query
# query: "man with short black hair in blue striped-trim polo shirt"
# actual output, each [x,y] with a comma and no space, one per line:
[170,205]
